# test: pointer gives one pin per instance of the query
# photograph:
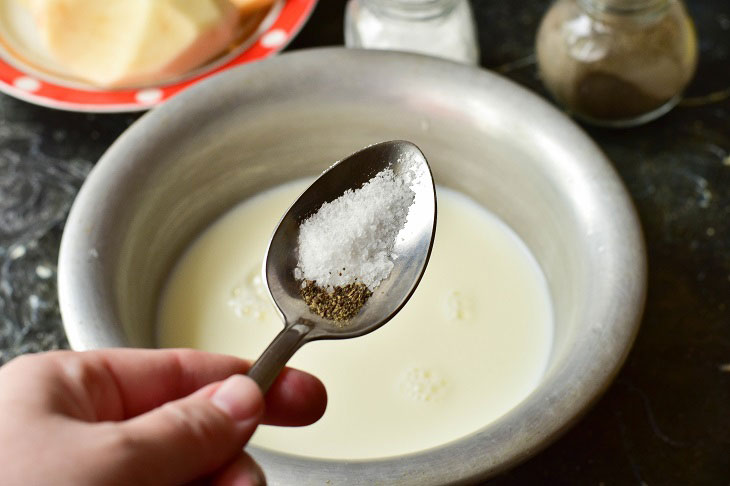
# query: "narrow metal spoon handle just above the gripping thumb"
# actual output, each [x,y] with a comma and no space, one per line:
[265,370]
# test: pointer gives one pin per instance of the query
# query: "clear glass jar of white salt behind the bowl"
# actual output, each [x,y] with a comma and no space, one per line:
[442,28]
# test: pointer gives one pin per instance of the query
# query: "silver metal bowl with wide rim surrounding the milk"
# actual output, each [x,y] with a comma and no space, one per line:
[187,162]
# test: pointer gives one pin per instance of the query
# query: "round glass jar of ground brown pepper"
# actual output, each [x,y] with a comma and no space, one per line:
[617,62]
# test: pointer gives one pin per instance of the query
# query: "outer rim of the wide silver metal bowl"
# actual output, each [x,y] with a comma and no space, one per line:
[567,403]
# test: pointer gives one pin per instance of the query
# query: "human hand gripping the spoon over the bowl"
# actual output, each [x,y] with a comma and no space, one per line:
[134,417]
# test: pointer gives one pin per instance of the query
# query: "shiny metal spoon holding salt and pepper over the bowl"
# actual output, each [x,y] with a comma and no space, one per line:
[413,249]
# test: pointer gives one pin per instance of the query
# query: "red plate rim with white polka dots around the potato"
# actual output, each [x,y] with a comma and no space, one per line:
[21,80]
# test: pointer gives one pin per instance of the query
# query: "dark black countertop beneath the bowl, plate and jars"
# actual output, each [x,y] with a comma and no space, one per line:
[665,421]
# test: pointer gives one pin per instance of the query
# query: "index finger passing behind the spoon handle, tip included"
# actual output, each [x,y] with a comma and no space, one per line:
[116,384]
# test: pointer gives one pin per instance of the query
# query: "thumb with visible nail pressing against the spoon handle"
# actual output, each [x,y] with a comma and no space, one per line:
[191,437]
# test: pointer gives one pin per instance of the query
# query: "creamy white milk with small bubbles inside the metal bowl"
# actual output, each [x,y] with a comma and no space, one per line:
[472,342]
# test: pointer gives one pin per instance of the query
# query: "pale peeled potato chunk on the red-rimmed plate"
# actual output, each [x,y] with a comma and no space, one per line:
[114,42]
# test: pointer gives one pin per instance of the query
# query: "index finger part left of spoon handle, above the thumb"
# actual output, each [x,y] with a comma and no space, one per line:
[115,384]
